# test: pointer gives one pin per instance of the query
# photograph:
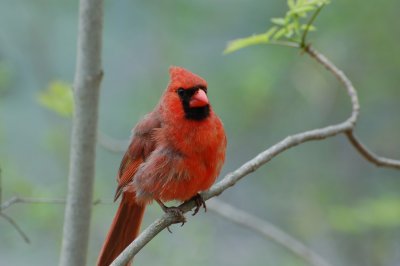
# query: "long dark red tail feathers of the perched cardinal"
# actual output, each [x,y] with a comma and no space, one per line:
[124,229]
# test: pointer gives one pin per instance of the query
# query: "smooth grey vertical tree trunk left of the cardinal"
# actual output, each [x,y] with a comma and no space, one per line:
[87,81]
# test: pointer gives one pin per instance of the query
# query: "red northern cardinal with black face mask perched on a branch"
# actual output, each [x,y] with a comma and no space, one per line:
[176,151]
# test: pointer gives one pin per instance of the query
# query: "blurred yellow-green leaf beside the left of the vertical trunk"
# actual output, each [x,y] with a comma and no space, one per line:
[58,98]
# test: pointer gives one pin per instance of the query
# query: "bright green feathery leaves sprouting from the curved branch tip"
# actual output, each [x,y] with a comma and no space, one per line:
[289,30]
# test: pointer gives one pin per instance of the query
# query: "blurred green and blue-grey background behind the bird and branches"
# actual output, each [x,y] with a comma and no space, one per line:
[323,193]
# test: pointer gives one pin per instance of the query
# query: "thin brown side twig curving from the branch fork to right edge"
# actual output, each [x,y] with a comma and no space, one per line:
[369,155]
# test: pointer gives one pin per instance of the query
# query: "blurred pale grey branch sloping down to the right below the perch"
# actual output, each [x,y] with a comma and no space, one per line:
[266,229]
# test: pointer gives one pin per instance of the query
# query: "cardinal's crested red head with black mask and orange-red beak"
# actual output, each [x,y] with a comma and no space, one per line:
[188,92]
